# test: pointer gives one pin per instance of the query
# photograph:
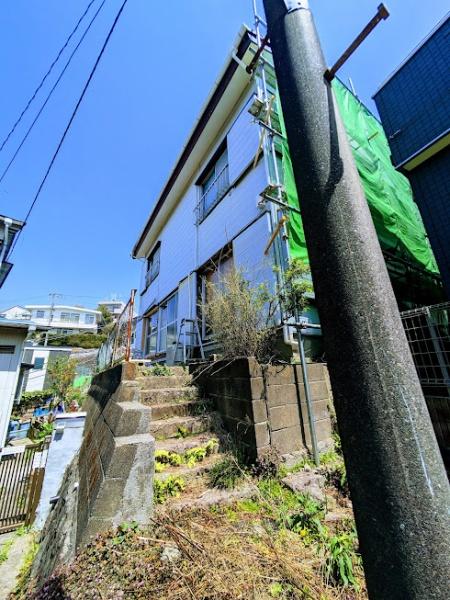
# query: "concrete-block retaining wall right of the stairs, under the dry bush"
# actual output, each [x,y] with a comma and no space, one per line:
[264,406]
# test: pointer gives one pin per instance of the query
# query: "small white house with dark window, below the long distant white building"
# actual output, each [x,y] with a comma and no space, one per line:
[36,378]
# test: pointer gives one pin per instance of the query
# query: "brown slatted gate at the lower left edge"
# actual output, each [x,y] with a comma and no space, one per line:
[21,476]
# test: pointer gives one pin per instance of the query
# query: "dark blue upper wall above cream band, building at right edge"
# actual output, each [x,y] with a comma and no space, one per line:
[414,103]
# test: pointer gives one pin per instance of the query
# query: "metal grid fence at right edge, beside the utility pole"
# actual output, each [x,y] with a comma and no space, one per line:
[428,333]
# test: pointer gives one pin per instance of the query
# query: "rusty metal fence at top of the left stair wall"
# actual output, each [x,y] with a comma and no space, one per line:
[117,346]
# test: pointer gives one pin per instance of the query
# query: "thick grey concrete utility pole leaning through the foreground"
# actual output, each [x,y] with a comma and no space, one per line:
[398,483]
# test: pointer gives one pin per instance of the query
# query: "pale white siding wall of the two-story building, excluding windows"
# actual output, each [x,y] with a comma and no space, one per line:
[185,247]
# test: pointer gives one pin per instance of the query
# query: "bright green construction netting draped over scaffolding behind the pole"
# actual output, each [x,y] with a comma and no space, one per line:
[395,215]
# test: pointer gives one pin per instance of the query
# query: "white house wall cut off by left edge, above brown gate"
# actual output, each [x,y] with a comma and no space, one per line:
[12,366]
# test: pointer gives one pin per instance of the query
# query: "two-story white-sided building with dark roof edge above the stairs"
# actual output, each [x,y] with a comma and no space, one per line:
[212,213]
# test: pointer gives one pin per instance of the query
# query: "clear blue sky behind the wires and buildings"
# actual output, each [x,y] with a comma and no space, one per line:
[158,69]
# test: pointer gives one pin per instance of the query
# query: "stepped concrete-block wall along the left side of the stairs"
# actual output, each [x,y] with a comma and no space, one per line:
[116,457]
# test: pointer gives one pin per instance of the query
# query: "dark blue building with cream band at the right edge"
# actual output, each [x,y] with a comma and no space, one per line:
[414,105]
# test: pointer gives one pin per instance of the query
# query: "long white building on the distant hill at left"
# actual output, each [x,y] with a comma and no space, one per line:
[64,319]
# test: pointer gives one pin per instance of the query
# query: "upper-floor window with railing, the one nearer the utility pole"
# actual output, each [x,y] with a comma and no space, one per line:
[214,183]
